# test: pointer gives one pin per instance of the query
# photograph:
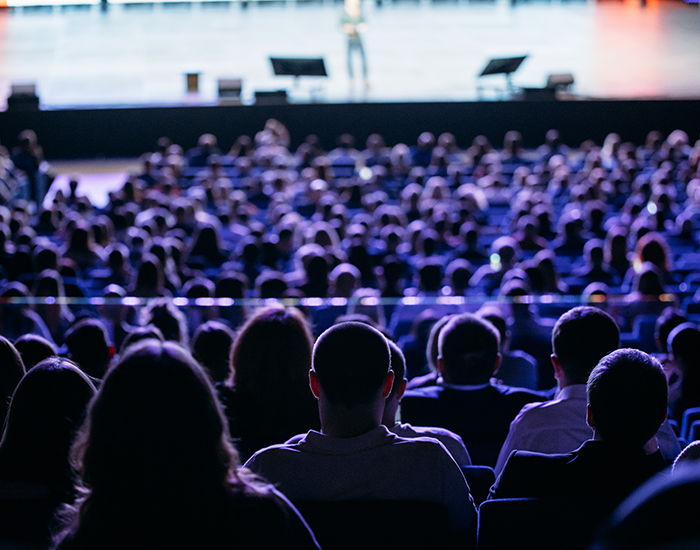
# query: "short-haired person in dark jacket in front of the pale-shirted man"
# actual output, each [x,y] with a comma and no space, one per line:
[627,399]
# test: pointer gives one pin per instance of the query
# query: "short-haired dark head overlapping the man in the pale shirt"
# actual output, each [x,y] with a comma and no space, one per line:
[628,396]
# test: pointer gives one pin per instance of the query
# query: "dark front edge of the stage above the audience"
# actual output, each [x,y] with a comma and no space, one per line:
[129,132]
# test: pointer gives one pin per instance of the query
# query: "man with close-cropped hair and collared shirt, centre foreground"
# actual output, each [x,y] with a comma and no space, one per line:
[354,456]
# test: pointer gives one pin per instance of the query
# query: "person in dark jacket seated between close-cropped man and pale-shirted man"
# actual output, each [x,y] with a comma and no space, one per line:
[465,400]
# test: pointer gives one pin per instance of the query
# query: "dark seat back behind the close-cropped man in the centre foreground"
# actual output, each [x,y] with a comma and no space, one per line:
[380,524]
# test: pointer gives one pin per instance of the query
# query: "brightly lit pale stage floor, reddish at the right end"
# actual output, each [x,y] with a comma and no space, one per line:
[416,50]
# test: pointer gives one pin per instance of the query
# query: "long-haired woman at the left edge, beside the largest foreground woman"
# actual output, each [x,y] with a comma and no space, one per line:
[35,474]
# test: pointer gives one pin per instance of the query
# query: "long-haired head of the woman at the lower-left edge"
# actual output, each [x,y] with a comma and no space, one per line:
[47,408]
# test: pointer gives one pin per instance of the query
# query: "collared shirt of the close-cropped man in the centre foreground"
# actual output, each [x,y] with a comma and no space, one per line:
[374,465]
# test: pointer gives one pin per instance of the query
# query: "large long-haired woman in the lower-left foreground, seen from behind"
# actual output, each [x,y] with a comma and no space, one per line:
[157,469]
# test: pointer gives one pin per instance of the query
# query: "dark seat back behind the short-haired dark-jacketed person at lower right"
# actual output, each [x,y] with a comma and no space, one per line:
[540,523]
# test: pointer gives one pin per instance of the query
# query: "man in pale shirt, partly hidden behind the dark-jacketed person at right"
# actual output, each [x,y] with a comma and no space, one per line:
[581,337]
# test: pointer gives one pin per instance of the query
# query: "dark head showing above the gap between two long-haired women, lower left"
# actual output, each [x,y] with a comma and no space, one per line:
[89,346]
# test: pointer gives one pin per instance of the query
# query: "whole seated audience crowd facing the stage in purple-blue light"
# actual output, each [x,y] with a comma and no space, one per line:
[146,354]
